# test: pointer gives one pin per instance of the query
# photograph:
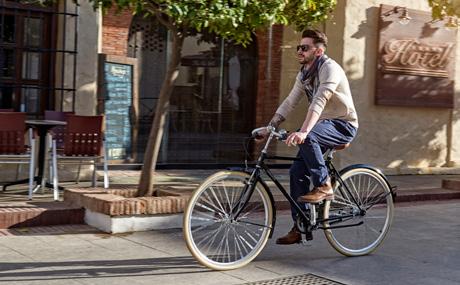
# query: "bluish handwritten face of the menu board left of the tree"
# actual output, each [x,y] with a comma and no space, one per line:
[118,81]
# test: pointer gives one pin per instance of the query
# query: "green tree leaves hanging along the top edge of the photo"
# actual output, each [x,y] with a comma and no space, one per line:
[234,19]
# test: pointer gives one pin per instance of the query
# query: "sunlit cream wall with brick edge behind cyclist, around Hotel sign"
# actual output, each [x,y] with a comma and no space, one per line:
[398,139]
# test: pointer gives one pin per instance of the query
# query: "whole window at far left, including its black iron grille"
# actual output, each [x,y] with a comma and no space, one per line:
[28,55]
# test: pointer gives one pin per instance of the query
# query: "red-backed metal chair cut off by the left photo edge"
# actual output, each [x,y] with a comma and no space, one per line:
[12,143]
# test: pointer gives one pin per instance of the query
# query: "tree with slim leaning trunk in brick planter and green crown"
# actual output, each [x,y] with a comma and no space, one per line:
[234,20]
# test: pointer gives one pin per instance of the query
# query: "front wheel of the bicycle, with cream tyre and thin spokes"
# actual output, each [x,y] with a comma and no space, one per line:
[213,235]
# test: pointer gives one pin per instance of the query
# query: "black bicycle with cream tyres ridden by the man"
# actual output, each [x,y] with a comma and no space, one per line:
[231,215]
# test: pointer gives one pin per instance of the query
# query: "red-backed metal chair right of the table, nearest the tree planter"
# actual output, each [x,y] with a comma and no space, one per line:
[83,144]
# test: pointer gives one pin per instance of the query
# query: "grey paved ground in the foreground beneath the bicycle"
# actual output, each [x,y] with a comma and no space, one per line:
[422,248]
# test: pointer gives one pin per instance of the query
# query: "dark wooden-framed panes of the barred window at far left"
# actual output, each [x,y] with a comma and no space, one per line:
[23,59]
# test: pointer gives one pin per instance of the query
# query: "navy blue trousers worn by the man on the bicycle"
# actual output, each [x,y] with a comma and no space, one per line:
[326,134]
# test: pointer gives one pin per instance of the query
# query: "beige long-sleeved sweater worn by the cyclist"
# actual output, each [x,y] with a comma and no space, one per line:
[333,98]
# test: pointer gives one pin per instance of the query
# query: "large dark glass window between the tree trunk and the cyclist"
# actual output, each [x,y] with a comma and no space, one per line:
[212,105]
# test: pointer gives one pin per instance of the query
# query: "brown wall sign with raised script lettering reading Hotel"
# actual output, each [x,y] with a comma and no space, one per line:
[415,60]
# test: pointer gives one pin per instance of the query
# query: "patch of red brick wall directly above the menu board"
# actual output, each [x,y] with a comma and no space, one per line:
[115,32]
